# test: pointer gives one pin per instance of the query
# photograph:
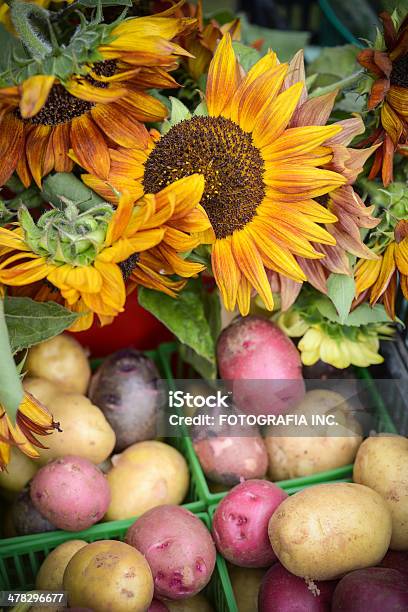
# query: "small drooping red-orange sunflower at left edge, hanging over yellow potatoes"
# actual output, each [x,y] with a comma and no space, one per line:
[32,418]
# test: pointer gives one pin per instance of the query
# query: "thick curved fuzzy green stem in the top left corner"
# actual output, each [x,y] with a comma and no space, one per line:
[24,15]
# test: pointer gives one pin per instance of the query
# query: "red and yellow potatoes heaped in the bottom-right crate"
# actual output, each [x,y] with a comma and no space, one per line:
[336,547]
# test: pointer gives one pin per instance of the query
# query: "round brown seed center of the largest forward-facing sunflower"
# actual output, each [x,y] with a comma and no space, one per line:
[220,150]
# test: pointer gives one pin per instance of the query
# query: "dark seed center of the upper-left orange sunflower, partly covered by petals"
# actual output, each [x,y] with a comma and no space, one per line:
[61,106]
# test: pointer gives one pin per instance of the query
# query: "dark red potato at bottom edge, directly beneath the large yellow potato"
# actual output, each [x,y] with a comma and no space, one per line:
[282,591]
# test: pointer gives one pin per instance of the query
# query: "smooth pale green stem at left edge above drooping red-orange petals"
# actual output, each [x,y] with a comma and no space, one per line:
[11,389]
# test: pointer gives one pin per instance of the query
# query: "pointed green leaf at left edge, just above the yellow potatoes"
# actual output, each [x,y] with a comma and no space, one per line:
[30,322]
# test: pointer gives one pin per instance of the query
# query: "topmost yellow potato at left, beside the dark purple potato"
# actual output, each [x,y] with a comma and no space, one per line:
[61,360]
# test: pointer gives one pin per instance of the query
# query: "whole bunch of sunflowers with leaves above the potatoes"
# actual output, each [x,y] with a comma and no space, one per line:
[145,147]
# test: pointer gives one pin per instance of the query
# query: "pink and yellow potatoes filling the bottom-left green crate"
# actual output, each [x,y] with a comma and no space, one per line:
[166,559]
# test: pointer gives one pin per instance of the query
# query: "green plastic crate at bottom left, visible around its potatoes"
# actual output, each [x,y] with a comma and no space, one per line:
[20,560]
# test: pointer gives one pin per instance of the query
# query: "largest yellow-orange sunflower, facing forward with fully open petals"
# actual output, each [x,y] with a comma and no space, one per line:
[261,177]
